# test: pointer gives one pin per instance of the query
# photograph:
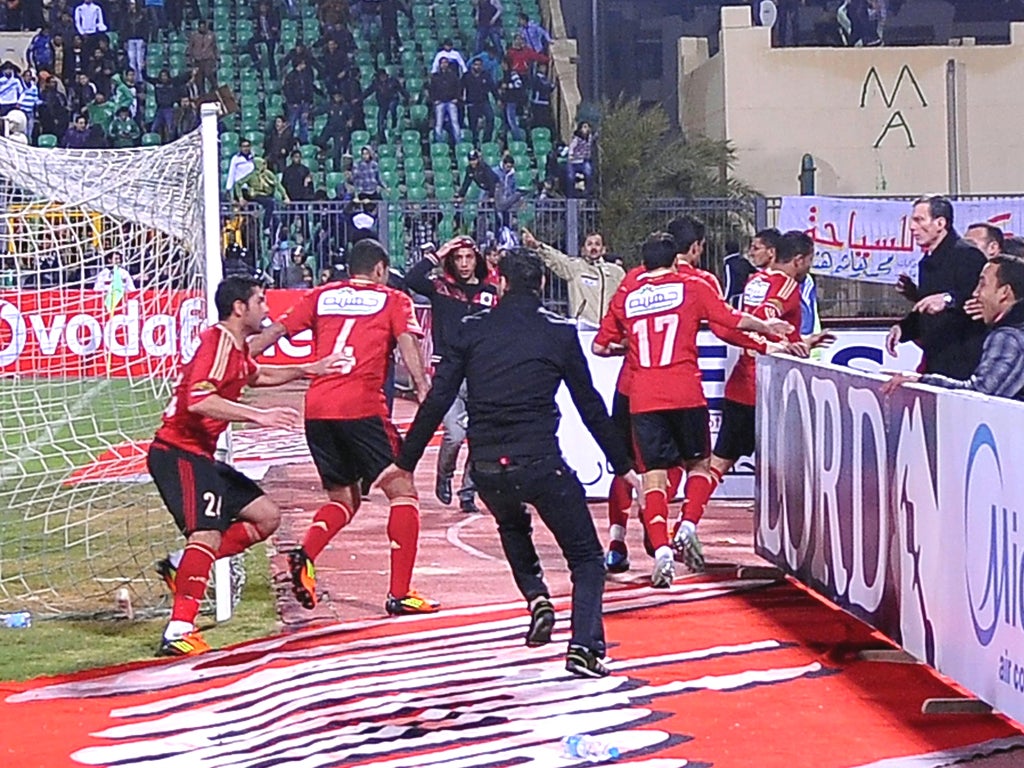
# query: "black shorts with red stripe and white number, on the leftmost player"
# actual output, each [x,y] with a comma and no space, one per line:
[202,494]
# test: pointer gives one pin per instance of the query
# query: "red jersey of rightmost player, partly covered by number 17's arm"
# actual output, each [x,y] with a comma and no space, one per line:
[769,294]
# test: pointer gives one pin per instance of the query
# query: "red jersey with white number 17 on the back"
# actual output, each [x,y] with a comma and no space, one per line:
[661,317]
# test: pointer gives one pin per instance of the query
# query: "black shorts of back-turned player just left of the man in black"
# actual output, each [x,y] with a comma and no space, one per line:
[348,452]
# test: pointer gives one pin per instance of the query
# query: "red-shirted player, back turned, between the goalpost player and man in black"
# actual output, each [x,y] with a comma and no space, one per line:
[349,430]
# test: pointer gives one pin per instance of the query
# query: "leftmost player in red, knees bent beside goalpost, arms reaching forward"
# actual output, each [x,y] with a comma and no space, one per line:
[221,511]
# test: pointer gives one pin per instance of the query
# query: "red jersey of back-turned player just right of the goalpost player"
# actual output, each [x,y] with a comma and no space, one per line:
[363,320]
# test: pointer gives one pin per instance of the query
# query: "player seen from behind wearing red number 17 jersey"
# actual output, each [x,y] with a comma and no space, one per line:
[660,320]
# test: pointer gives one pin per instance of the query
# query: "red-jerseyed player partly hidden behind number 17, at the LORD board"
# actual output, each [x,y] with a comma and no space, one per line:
[772,293]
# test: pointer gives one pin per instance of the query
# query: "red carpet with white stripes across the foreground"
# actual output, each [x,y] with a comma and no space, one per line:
[724,674]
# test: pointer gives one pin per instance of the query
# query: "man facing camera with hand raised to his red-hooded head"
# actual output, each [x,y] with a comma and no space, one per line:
[459,290]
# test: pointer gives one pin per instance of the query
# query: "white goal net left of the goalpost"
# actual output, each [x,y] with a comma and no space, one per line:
[102,289]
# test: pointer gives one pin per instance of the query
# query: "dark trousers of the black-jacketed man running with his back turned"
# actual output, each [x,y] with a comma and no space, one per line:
[552,489]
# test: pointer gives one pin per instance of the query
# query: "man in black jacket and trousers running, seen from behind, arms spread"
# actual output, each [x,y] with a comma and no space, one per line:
[514,359]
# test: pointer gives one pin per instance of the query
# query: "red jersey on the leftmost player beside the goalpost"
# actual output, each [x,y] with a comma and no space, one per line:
[221,367]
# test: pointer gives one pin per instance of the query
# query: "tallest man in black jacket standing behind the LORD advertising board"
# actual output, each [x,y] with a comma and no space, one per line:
[948,276]
